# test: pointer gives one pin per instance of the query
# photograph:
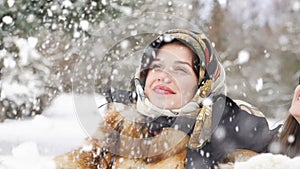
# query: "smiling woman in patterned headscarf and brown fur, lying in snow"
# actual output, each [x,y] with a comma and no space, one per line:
[179,119]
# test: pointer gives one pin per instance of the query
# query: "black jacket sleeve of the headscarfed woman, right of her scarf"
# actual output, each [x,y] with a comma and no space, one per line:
[233,129]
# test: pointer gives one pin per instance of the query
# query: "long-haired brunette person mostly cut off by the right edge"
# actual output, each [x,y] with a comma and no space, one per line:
[290,135]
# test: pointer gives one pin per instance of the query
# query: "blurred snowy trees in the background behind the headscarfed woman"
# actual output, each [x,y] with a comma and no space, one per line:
[48,47]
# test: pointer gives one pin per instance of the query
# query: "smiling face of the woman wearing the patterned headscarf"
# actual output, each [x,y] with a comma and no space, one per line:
[171,81]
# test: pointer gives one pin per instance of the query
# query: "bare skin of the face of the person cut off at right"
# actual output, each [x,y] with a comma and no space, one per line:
[295,106]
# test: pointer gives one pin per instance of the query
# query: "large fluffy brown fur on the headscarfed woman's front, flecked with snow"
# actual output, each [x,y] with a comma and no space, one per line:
[131,146]
